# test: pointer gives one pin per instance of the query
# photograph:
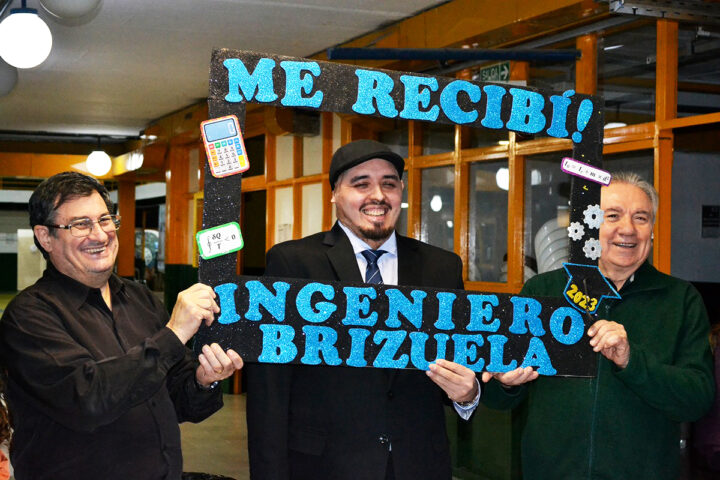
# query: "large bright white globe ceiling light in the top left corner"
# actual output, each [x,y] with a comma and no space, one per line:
[25,39]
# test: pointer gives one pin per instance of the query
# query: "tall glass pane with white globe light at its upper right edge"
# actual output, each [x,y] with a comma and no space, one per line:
[487,222]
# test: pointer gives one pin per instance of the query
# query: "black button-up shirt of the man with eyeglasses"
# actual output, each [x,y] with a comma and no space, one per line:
[94,393]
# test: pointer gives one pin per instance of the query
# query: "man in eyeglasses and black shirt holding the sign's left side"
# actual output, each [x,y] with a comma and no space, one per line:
[98,375]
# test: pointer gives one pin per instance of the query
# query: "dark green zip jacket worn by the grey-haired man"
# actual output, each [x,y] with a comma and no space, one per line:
[622,424]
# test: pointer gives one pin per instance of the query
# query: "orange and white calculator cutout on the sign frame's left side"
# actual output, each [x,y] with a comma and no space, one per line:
[224,146]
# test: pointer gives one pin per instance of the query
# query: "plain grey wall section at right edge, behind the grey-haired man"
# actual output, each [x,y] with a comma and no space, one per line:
[694,184]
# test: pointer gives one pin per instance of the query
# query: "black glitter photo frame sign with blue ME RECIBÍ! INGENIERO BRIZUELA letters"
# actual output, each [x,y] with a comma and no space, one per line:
[310,322]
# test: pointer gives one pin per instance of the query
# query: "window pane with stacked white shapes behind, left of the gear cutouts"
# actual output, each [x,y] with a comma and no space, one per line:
[547,197]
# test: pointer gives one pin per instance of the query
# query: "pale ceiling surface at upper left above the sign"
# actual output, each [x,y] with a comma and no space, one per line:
[138,60]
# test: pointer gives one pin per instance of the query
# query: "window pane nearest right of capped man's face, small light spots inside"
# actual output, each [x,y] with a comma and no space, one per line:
[438,207]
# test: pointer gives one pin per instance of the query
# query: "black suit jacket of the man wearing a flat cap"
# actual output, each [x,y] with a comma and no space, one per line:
[317,422]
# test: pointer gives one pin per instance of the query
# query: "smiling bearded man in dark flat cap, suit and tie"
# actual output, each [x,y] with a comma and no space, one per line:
[318,422]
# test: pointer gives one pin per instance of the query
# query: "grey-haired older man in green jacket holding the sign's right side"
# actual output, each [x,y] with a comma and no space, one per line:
[654,371]
